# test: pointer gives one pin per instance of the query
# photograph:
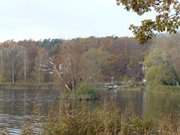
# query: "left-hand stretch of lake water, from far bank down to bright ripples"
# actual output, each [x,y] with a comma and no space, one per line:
[17,106]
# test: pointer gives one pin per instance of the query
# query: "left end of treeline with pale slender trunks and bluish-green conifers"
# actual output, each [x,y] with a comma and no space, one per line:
[21,61]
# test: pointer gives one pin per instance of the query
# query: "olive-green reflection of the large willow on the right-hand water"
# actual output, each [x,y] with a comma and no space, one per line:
[159,104]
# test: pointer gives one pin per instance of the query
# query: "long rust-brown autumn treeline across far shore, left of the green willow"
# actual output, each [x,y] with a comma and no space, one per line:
[82,59]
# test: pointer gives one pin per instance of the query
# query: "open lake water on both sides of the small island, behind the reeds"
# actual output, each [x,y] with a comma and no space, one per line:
[18,106]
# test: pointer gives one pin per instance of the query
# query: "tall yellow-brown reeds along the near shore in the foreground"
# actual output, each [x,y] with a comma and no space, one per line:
[106,120]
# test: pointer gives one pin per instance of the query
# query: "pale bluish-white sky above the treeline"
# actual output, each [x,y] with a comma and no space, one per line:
[39,19]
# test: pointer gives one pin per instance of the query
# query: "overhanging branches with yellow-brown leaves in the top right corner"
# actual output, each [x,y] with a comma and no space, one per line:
[167,17]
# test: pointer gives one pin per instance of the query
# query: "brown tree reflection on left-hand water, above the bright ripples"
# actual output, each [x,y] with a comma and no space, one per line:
[20,102]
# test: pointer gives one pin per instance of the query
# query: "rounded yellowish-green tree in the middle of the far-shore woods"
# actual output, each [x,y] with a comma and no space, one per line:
[93,62]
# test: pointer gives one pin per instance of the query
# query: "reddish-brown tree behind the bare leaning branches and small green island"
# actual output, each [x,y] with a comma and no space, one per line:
[67,62]
